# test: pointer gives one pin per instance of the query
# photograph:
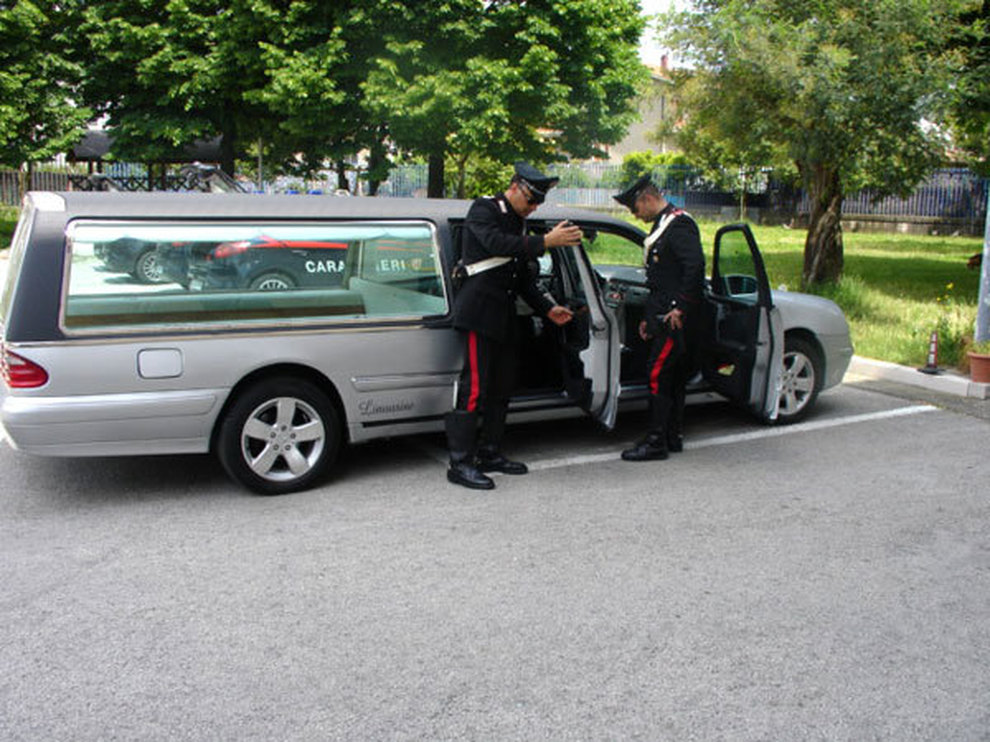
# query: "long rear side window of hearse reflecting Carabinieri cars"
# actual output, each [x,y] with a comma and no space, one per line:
[139,274]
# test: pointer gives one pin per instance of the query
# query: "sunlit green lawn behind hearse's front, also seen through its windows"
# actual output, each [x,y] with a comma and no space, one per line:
[895,290]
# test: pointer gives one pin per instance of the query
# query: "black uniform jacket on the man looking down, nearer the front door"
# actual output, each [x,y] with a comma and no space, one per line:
[675,270]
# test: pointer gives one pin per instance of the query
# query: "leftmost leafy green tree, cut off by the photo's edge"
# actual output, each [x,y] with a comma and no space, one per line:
[38,114]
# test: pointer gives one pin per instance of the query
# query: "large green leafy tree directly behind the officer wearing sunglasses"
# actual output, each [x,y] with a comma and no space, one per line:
[506,80]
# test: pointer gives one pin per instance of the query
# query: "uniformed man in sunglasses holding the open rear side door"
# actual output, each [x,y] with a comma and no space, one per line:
[496,251]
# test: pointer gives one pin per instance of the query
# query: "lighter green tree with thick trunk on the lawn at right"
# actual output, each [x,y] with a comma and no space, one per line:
[840,88]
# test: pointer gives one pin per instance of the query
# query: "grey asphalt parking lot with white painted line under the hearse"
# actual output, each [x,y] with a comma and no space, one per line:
[823,581]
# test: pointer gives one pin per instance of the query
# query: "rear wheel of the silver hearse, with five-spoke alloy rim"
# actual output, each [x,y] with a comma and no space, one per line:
[280,435]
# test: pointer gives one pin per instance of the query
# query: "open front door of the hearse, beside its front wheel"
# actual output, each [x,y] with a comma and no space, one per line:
[742,344]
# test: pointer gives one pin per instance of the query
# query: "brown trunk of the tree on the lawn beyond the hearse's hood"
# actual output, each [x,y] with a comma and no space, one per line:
[823,246]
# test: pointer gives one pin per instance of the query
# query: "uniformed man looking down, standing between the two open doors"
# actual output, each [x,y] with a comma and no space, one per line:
[675,274]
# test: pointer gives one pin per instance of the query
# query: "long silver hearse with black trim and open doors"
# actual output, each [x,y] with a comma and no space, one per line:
[306,323]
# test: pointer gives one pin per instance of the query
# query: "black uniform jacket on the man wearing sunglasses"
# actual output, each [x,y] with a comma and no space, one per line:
[486,303]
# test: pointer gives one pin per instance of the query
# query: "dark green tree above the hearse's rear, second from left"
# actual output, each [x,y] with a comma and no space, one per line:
[170,72]
